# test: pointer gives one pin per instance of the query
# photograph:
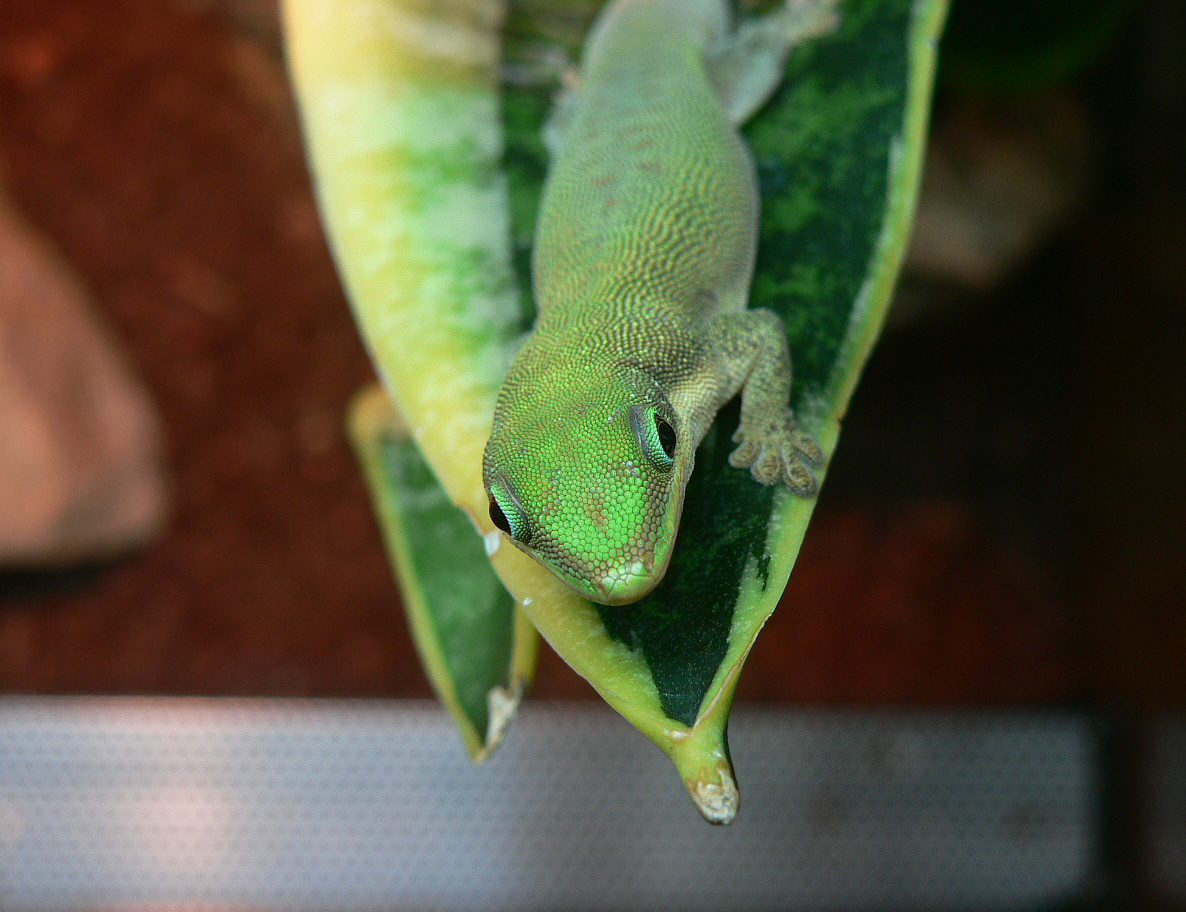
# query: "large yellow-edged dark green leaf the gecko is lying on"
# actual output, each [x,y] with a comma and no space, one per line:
[429,177]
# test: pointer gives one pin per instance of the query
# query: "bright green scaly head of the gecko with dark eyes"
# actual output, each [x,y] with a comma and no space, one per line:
[589,480]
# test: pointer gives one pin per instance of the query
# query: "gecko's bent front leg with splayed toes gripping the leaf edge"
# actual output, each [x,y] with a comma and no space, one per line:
[750,348]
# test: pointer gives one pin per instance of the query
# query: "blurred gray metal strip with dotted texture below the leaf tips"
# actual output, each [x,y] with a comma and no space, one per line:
[352,806]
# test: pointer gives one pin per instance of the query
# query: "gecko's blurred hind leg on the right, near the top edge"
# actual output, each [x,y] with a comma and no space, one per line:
[748,66]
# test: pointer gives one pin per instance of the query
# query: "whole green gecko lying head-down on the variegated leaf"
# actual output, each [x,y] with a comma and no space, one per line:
[642,264]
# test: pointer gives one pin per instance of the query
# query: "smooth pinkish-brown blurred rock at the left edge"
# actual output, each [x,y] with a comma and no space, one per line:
[80,458]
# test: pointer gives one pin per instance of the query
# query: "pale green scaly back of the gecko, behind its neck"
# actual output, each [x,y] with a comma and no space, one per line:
[651,197]
